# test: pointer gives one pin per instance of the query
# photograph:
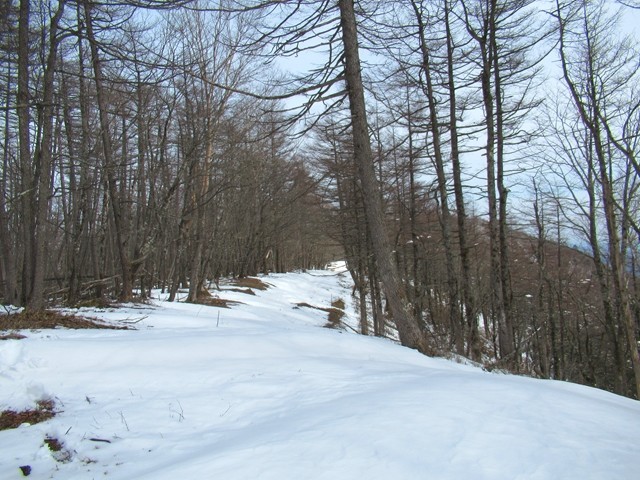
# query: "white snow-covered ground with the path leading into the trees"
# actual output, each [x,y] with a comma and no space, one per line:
[262,391]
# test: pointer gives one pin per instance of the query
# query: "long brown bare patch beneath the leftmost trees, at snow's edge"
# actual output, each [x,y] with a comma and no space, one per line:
[46,319]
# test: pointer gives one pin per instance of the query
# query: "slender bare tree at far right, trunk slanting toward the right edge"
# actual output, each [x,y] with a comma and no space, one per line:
[594,68]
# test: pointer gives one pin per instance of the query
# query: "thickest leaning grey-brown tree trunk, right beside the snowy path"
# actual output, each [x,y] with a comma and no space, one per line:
[409,330]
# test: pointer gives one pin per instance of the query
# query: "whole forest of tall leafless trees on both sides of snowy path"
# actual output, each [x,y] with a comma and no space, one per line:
[473,161]
